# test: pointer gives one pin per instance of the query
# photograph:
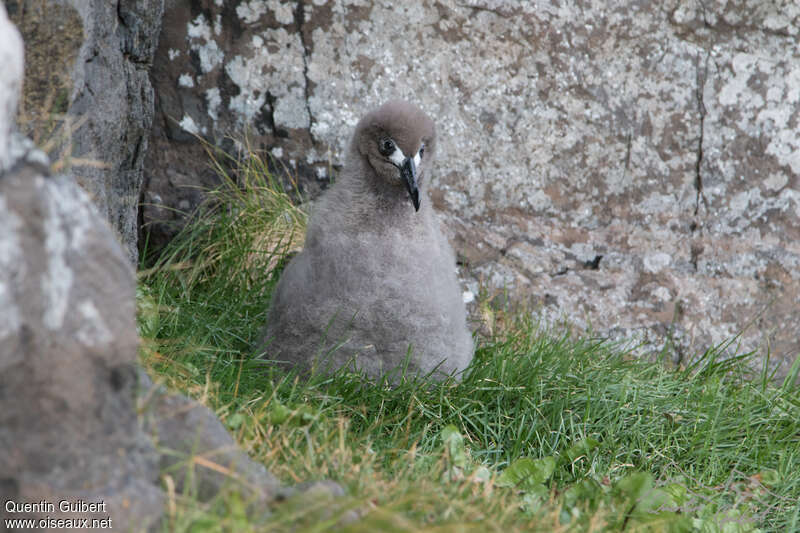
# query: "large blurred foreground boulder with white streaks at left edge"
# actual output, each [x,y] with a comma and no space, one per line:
[68,345]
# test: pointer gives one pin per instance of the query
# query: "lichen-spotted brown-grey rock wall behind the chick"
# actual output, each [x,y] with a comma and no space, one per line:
[633,169]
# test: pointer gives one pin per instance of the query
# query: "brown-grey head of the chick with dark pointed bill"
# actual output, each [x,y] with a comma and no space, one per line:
[397,140]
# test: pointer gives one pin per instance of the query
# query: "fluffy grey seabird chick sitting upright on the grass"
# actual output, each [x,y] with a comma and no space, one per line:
[376,280]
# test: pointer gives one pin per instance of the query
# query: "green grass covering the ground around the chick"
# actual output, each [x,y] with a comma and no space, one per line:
[546,432]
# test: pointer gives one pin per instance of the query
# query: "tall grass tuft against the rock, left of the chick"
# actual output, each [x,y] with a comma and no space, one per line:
[207,291]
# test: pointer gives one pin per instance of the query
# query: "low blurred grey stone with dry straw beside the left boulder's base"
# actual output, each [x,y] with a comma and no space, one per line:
[198,452]
